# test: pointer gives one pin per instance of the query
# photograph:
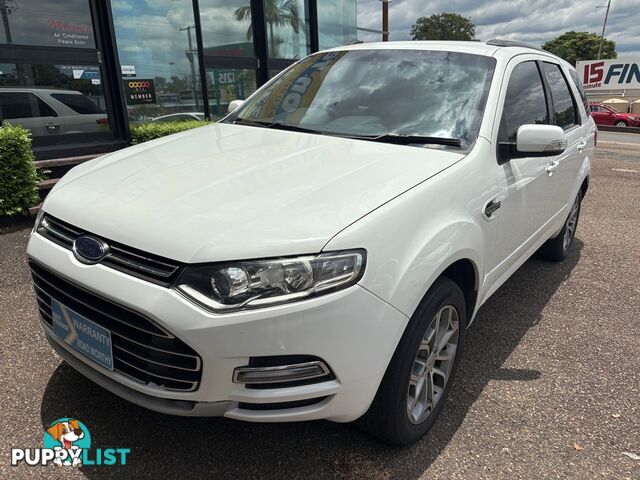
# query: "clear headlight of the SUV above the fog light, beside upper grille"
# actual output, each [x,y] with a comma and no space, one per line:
[261,283]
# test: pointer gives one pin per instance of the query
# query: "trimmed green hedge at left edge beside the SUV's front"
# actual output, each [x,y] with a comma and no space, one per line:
[18,176]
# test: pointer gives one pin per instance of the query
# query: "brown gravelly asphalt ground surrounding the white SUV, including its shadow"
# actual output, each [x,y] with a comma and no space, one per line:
[549,385]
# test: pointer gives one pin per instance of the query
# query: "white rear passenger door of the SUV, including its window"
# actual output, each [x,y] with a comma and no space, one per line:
[563,171]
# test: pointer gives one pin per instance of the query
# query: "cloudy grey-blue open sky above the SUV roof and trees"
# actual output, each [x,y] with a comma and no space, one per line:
[532,21]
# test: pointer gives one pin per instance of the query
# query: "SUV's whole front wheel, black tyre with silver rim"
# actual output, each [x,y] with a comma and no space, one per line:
[417,381]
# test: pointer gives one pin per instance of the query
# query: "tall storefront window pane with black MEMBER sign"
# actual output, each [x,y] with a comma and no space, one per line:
[158,54]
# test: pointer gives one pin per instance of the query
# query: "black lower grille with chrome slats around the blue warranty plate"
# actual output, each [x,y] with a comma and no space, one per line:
[142,350]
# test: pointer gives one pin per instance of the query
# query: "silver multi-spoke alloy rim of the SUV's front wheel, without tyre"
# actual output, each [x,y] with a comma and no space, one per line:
[433,364]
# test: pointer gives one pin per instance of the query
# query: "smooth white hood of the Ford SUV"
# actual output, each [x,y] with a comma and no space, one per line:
[225,192]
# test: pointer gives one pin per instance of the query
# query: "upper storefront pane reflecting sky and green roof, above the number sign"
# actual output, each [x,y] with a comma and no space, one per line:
[226,28]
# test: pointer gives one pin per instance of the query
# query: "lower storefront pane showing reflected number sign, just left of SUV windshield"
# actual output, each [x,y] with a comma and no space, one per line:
[227,84]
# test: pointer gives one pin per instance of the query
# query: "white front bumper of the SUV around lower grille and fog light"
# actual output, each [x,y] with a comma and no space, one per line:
[354,332]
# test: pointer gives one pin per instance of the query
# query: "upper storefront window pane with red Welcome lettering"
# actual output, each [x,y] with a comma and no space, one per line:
[47,23]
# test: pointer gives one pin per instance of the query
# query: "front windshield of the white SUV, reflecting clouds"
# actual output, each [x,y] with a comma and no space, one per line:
[378,94]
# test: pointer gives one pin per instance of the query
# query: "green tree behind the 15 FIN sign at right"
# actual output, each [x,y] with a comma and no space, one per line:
[575,46]
